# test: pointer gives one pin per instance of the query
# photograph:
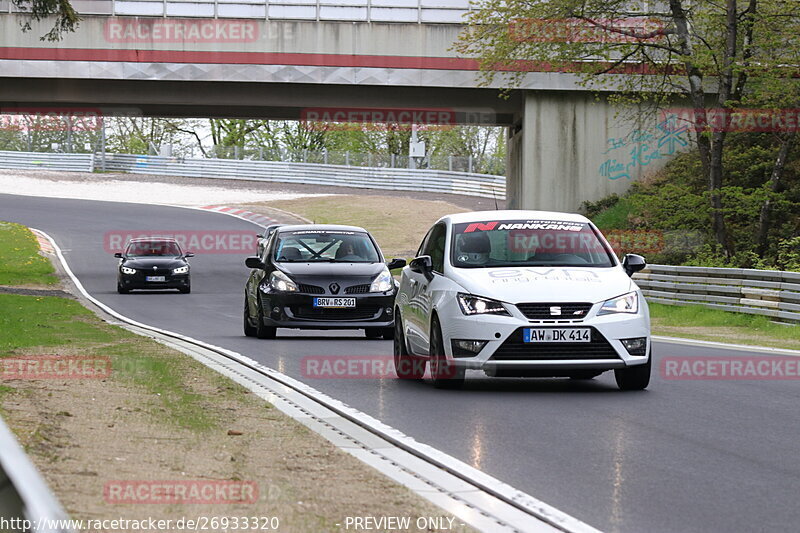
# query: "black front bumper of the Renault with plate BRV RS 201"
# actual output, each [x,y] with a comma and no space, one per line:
[296,310]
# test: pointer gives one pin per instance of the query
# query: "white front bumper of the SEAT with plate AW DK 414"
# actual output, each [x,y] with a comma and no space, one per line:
[506,353]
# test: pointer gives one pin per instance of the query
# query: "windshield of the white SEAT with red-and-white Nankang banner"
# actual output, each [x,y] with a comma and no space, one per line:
[527,243]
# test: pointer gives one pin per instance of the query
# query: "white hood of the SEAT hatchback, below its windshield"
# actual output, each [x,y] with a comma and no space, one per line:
[545,284]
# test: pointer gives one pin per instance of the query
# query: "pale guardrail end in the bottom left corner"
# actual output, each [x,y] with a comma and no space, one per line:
[24,495]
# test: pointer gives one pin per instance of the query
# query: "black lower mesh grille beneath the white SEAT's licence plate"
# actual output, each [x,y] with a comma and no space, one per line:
[515,349]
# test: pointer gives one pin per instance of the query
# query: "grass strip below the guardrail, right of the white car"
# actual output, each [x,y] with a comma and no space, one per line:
[702,323]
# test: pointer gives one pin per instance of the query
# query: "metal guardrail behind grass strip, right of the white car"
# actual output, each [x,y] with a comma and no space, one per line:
[770,293]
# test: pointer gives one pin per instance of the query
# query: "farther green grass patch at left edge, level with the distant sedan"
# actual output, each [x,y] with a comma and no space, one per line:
[20,263]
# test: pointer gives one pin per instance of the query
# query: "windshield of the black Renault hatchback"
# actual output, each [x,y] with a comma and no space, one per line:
[325,246]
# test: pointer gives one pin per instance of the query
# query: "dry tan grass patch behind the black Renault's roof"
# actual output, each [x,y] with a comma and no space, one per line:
[397,223]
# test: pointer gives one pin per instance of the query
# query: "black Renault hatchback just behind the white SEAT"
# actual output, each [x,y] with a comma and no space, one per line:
[319,276]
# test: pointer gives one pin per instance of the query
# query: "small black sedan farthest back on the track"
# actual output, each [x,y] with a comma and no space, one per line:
[153,263]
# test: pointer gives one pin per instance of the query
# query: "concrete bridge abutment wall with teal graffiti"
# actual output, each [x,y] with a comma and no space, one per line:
[572,148]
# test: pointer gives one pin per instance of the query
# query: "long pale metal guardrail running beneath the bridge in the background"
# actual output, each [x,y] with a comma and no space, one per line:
[392,179]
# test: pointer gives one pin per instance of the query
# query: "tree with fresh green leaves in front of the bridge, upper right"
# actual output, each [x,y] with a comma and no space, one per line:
[711,54]
